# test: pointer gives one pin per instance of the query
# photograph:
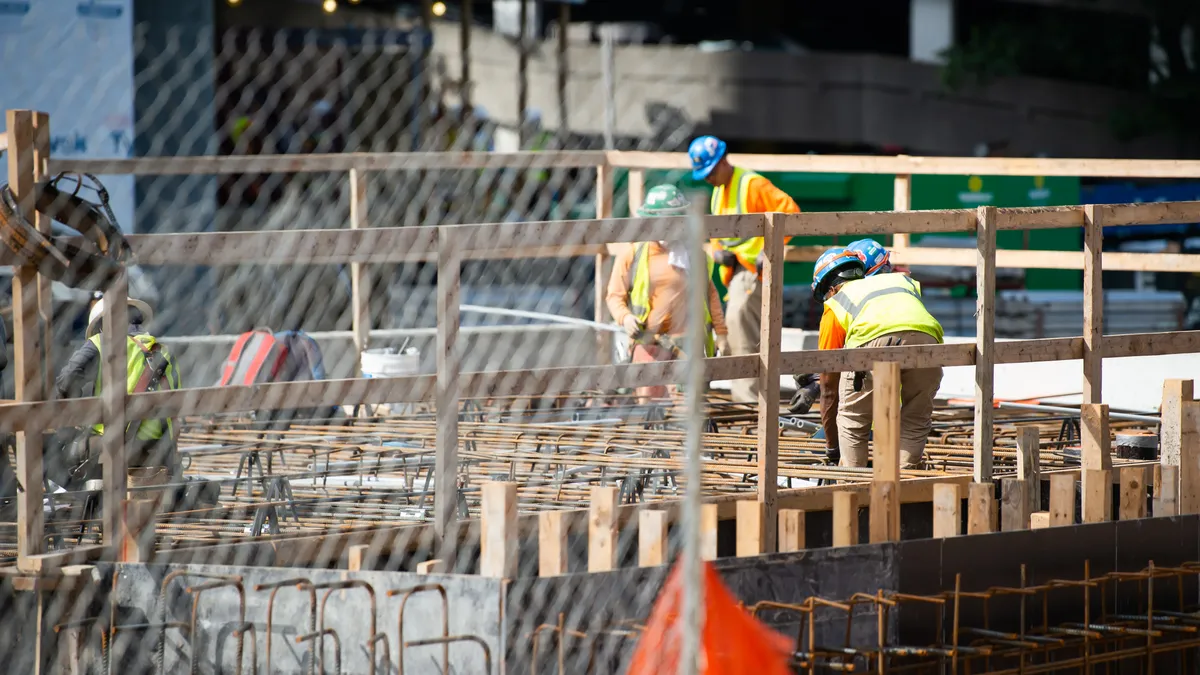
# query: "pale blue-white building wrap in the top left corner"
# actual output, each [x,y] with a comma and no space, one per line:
[74,59]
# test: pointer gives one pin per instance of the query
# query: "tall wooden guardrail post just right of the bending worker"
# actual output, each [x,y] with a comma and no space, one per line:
[986,339]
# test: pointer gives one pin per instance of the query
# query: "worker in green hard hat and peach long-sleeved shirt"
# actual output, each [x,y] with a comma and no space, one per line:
[649,294]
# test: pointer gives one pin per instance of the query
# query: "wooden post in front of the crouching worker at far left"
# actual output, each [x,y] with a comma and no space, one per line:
[115,367]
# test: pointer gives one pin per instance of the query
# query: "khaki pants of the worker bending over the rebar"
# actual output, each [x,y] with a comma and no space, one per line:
[917,391]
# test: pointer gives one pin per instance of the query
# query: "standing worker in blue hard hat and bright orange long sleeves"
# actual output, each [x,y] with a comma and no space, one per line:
[739,192]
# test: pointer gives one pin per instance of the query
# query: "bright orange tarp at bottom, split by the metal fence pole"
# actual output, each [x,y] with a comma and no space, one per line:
[731,643]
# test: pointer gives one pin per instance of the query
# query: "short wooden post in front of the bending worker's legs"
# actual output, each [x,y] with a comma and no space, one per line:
[885,511]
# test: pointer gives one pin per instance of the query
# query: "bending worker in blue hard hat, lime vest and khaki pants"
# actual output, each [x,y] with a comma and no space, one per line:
[884,310]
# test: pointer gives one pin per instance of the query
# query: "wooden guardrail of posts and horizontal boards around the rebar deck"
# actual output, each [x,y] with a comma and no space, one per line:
[449,246]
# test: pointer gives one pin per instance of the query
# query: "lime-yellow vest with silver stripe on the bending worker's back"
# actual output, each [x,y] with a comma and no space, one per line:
[880,306]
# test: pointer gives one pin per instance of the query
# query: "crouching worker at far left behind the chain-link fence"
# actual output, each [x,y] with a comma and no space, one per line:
[151,444]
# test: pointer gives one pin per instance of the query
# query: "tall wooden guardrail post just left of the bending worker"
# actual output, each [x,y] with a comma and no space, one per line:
[770,347]
